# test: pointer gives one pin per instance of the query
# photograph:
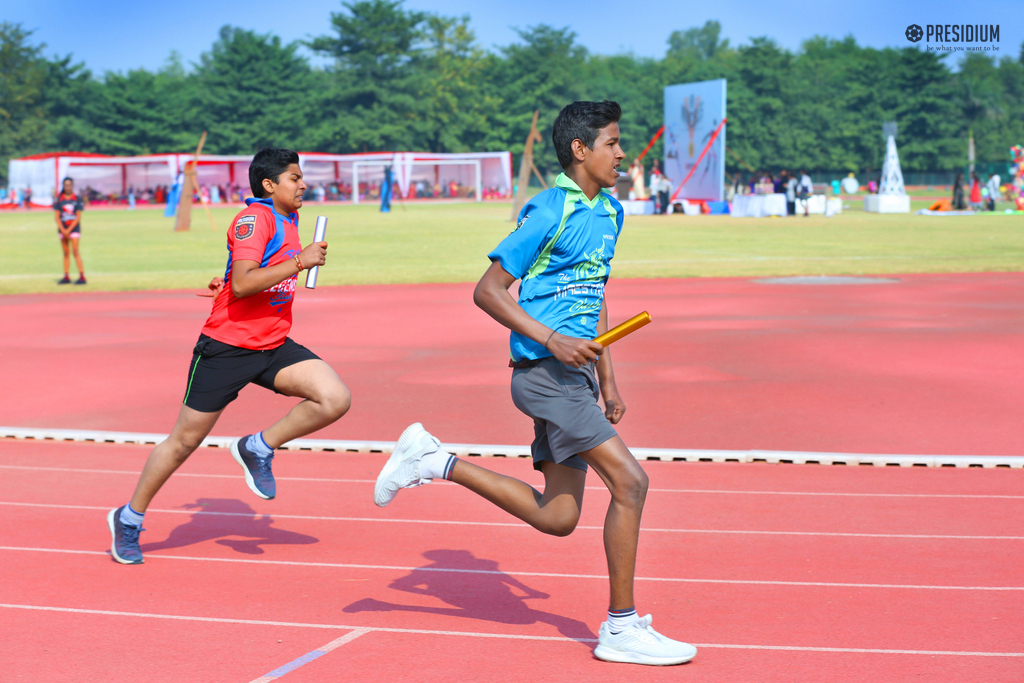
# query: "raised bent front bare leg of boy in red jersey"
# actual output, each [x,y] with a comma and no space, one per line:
[327,399]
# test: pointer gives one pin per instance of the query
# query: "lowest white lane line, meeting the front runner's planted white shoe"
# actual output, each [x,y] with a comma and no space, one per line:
[505,636]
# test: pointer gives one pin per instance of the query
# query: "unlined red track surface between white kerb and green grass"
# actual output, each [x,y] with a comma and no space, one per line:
[930,365]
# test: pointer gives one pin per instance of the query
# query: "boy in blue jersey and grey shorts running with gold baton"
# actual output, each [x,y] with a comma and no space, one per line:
[561,252]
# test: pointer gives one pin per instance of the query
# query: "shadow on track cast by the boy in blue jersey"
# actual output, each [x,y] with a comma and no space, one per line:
[480,591]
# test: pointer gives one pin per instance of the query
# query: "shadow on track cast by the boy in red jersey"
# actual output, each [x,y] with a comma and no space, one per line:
[223,521]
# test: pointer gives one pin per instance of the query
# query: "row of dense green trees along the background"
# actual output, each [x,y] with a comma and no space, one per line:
[399,79]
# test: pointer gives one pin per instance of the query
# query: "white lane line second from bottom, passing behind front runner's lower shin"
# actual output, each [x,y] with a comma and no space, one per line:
[548,575]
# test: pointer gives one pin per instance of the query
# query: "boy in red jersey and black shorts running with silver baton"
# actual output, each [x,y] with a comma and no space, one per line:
[244,341]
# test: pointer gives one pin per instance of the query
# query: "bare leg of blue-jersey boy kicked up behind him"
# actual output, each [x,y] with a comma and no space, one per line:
[557,511]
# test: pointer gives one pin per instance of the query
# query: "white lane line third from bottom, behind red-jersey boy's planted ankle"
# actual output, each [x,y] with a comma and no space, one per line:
[452,523]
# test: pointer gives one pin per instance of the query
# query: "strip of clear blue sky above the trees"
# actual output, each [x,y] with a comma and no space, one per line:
[118,36]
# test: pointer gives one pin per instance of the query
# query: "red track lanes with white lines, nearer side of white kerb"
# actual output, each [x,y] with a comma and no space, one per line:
[284,562]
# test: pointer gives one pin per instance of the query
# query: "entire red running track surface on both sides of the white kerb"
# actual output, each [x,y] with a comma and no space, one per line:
[779,574]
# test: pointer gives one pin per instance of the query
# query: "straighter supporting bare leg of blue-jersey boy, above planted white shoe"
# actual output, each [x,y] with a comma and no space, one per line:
[628,485]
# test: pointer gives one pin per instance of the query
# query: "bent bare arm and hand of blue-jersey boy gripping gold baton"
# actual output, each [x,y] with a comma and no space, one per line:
[492,295]
